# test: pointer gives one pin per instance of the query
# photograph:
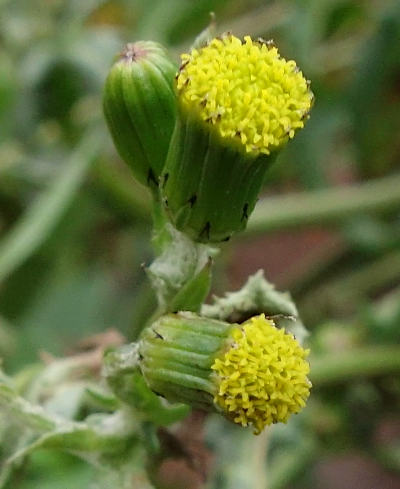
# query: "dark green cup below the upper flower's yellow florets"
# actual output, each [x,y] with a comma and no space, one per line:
[210,186]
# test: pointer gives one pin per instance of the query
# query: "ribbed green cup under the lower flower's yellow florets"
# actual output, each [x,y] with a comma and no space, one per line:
[176,354]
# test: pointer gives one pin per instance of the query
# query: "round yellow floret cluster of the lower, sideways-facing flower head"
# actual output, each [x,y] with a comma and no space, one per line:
[262,378]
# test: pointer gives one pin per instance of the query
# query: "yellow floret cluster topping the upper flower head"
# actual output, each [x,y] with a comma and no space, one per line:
[247,91]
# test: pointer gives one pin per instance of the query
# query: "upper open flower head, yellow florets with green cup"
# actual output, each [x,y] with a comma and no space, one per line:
[239,103]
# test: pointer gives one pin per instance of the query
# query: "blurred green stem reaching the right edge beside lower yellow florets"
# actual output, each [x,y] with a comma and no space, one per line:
[362,362]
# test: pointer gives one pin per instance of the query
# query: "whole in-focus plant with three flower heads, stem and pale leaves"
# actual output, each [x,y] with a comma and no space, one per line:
[201,138]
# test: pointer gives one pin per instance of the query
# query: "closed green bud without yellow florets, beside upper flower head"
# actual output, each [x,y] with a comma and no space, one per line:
[140,108]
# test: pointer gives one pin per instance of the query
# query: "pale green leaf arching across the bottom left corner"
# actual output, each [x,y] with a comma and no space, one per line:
[108,441]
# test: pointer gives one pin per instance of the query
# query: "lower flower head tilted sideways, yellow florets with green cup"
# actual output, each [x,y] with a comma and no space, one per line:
[253,373]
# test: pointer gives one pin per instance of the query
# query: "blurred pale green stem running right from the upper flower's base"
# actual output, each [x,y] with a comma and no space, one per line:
[325,206]
